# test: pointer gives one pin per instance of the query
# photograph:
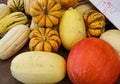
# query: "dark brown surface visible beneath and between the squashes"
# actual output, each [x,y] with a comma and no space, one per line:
[5,74]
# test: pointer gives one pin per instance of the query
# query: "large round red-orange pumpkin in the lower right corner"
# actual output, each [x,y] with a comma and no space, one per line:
[90,63]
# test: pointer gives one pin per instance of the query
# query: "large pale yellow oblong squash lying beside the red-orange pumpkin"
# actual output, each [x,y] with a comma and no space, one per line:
[38,67]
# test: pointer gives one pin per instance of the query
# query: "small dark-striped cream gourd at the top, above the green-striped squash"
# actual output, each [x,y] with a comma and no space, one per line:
[16,5]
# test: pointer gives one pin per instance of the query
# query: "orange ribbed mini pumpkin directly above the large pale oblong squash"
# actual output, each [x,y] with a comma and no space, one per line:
[44,39]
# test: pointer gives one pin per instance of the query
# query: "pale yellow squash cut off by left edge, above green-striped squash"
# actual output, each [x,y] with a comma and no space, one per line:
[4,10]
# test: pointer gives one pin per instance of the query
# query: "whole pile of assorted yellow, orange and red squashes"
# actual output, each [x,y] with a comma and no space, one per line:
[46,25]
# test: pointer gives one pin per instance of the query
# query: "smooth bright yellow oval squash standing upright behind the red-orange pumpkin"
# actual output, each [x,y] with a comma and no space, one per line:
[72,28]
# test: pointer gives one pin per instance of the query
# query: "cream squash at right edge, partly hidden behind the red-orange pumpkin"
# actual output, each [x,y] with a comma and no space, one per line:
[113,38]
